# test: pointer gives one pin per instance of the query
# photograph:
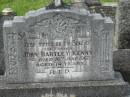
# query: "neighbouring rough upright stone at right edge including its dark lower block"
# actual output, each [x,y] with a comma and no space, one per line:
[122,39]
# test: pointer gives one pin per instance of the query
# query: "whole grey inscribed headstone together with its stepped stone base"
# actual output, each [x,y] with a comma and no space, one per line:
[60,53]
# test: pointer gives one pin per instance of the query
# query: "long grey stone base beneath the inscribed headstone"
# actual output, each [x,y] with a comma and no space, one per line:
[111,88]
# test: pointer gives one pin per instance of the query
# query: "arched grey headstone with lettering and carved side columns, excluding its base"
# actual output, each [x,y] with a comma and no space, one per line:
[57,45]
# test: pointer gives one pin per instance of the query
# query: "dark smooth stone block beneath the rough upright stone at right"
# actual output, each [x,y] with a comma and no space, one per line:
[121,61]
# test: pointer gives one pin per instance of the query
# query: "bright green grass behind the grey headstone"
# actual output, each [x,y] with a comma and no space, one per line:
[23,6]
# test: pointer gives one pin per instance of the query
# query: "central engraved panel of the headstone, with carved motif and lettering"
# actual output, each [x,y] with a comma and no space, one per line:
[59,47]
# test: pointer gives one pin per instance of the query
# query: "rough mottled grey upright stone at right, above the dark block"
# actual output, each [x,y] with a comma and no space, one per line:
[123,21]
